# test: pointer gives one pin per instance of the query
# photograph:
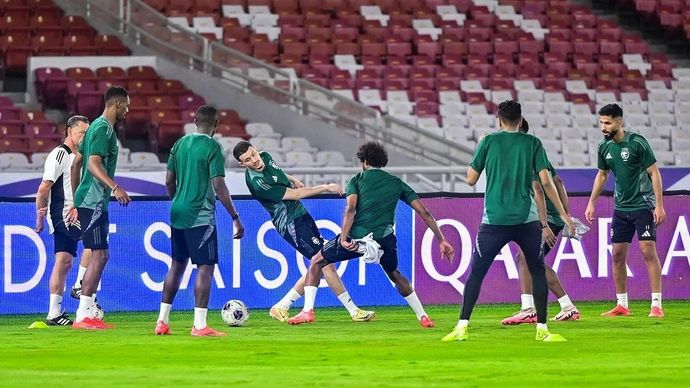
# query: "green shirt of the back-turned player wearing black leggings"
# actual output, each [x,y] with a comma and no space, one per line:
[511,159]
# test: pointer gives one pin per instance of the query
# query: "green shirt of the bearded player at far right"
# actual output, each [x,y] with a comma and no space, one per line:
[629,161]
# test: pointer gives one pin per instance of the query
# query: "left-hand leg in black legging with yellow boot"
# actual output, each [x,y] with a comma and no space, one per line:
[490,241]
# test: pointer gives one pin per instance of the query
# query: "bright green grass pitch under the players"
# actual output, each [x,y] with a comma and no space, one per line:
[393,350]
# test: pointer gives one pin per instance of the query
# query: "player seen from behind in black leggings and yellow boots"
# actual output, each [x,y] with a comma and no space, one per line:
[511,159]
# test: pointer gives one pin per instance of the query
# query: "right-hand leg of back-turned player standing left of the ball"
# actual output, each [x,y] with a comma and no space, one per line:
[203,244]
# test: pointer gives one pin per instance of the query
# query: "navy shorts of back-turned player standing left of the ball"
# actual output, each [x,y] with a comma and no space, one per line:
[199,243]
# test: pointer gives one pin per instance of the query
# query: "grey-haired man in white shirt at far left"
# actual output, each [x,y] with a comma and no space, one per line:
[54,199]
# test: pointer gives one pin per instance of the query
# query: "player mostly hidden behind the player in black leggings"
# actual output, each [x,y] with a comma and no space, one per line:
[551,225]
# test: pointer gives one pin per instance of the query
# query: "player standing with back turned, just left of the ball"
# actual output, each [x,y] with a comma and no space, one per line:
[195,177]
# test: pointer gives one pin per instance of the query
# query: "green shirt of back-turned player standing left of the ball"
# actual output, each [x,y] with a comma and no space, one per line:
[195,159]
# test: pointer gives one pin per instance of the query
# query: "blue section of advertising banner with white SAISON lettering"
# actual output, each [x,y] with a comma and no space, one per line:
[258,269]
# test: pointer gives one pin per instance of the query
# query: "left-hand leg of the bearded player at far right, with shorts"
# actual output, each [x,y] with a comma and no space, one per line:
[622,231]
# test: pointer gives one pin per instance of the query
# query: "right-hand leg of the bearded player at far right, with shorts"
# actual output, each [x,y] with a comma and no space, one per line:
[646,233]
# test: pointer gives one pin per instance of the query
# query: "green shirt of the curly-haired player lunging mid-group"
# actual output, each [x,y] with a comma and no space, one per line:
[377,193]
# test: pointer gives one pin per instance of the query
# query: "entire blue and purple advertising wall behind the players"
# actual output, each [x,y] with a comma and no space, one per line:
[261,268]
